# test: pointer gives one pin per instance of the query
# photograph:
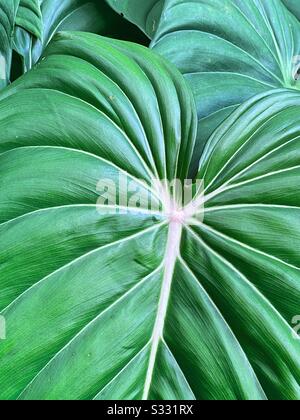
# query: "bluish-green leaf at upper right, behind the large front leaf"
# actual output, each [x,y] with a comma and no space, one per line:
[228,50]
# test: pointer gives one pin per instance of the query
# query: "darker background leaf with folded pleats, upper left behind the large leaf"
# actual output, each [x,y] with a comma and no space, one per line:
[38,21]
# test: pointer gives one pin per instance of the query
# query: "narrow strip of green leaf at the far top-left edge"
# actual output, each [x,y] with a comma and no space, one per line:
[8,10]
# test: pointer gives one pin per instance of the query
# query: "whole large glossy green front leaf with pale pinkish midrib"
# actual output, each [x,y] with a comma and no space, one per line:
[138,304]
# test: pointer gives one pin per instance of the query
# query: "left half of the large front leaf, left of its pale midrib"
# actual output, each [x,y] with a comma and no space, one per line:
[87,123]
